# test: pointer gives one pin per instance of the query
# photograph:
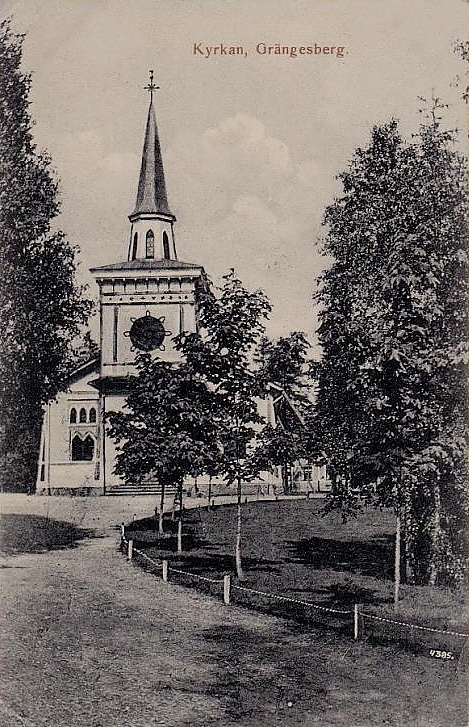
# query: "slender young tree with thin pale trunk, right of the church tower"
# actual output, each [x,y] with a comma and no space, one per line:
[231,325]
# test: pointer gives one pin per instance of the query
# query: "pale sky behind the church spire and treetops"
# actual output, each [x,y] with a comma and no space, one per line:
[252,143]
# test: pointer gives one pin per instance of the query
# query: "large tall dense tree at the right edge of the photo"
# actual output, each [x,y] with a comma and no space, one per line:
[391,407]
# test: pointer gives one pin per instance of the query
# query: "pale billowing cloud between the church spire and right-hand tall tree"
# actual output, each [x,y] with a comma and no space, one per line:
[246,203]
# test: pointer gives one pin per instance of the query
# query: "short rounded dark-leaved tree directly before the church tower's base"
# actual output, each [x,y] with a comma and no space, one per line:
[168,428]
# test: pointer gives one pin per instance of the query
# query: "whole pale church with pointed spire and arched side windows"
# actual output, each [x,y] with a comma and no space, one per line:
[144,301]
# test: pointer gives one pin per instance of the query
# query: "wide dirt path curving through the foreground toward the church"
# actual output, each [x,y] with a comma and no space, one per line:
[90,640]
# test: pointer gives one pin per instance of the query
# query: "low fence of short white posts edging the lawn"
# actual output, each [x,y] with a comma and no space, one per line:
[358,623]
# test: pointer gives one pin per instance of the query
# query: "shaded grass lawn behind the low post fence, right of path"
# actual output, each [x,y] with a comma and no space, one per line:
[290,549]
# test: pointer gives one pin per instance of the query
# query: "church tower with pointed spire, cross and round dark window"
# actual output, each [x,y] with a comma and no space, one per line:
[149,298]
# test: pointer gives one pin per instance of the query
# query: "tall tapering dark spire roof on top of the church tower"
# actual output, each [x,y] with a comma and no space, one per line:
[151,195]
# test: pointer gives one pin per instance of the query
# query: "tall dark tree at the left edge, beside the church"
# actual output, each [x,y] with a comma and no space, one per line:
[41,306]
